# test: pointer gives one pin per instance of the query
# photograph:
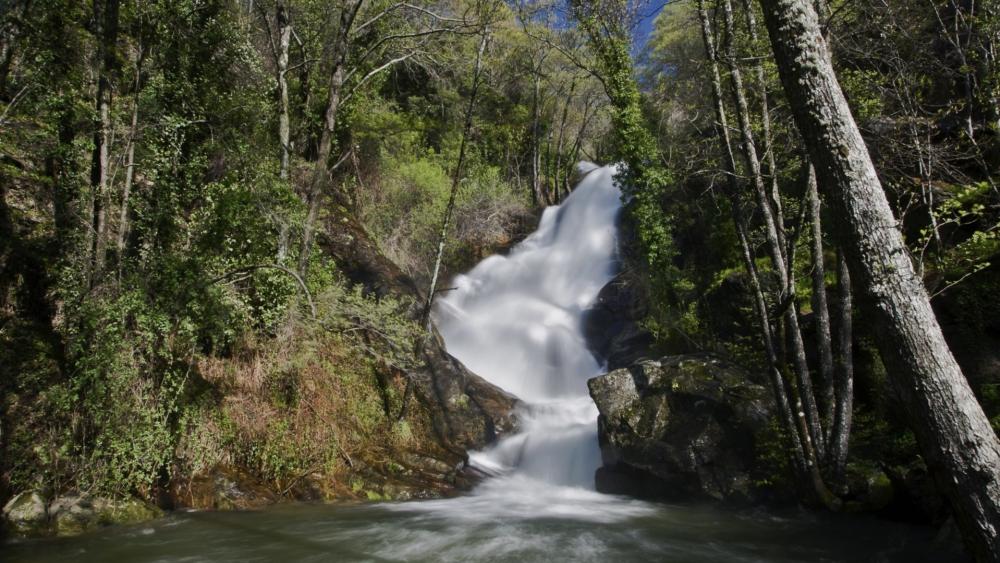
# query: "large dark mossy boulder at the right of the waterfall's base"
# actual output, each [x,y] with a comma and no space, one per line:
[684,426]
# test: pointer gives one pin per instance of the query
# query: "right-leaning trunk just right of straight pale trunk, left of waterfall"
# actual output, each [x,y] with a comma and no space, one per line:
[321,172]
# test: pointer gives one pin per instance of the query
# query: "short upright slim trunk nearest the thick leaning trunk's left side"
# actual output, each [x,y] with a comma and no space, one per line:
[844,391]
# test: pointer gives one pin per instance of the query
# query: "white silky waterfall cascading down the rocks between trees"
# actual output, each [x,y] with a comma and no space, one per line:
[516,320]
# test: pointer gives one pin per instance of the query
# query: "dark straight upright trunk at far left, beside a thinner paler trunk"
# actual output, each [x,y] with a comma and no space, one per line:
[106,13]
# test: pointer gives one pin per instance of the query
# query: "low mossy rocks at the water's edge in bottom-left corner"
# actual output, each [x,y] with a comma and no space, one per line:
[29,514]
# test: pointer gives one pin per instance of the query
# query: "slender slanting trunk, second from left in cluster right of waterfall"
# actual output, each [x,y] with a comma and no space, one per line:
[775,241]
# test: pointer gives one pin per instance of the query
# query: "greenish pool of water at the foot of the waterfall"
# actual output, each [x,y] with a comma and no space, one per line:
[540,523]
